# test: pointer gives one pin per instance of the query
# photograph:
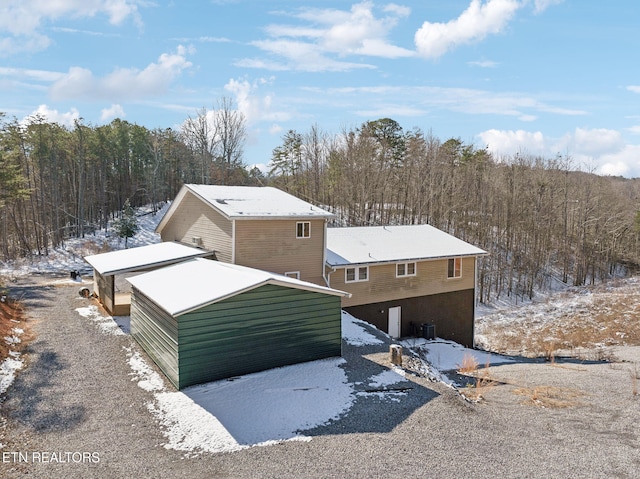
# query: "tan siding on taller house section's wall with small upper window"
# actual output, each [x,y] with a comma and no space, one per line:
[271,245]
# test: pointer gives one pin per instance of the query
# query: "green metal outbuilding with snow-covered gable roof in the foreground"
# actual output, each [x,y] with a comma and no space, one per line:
[205,320]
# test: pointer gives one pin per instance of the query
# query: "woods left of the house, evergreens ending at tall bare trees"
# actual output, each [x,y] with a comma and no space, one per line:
[58,182]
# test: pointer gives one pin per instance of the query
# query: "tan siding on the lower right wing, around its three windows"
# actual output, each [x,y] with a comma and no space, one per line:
[383,285]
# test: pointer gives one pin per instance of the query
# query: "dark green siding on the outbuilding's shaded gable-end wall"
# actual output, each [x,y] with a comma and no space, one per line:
[268,327]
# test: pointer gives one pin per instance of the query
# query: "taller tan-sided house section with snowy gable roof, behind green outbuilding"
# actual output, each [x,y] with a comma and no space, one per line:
[258,227]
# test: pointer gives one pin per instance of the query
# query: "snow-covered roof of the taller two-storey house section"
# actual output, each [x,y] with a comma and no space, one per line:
[239,202]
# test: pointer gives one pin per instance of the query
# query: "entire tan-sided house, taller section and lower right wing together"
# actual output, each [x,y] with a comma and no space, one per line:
[400,277]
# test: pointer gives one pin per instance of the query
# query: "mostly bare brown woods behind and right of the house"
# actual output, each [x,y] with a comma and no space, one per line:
[543,221]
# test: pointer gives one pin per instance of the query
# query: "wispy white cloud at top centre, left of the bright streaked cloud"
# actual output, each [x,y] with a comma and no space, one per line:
[332,32]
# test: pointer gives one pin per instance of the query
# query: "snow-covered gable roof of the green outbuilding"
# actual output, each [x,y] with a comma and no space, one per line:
[185,287]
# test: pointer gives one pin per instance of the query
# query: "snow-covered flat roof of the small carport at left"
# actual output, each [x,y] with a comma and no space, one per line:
[133,259]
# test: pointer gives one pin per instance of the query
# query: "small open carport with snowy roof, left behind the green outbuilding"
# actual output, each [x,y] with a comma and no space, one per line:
[115,295]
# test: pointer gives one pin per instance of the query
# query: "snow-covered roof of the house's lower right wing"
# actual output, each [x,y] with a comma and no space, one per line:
[379,244]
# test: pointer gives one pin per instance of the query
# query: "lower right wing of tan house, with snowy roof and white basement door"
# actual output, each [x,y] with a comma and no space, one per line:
[403,277]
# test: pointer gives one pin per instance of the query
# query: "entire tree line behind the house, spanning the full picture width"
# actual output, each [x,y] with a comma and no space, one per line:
[542,220]
